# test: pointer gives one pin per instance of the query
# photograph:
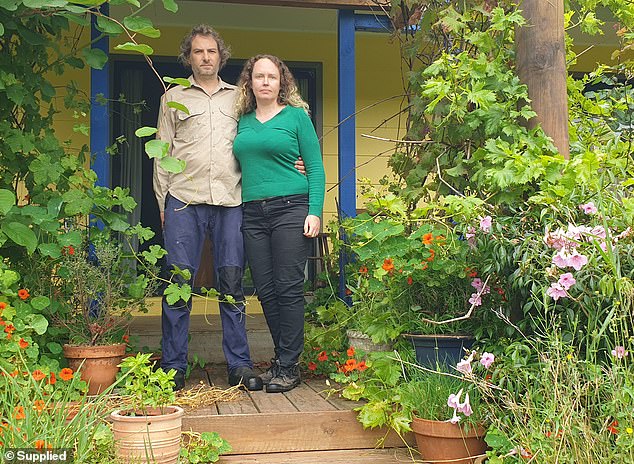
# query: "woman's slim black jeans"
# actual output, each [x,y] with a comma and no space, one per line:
[277,252]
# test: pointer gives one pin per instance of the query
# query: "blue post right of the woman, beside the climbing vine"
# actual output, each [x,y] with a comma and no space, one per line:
[347,129]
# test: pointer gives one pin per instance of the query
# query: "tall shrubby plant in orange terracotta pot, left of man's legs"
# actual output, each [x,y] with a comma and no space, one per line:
[101,290]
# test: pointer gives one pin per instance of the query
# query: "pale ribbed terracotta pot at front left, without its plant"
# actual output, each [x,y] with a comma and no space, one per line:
[153,438]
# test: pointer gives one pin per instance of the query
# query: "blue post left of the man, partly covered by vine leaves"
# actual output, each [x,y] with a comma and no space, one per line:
[99,112]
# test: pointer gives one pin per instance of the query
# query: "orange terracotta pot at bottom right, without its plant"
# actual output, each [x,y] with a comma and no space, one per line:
[440,441]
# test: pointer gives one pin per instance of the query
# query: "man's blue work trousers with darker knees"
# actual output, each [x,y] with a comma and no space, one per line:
[186,227]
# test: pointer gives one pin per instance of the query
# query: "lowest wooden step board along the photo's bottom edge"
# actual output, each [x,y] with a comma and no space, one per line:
[359,456]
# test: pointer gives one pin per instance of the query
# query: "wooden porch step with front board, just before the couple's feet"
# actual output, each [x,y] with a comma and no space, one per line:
[304,419]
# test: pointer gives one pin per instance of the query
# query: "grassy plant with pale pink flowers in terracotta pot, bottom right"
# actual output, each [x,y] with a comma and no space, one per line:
[440,407]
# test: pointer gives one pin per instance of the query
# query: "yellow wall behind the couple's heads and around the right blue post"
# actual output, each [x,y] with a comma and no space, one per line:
[376,57]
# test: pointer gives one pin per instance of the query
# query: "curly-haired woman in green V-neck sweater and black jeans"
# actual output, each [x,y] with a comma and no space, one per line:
[281,207]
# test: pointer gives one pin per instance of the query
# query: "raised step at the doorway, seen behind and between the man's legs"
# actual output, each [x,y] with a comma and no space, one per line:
[205,336]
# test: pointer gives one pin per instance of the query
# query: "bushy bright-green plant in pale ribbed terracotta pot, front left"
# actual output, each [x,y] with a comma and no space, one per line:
[149,430]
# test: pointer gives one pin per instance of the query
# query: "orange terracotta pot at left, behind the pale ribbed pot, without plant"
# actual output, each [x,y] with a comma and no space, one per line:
[100,364]
